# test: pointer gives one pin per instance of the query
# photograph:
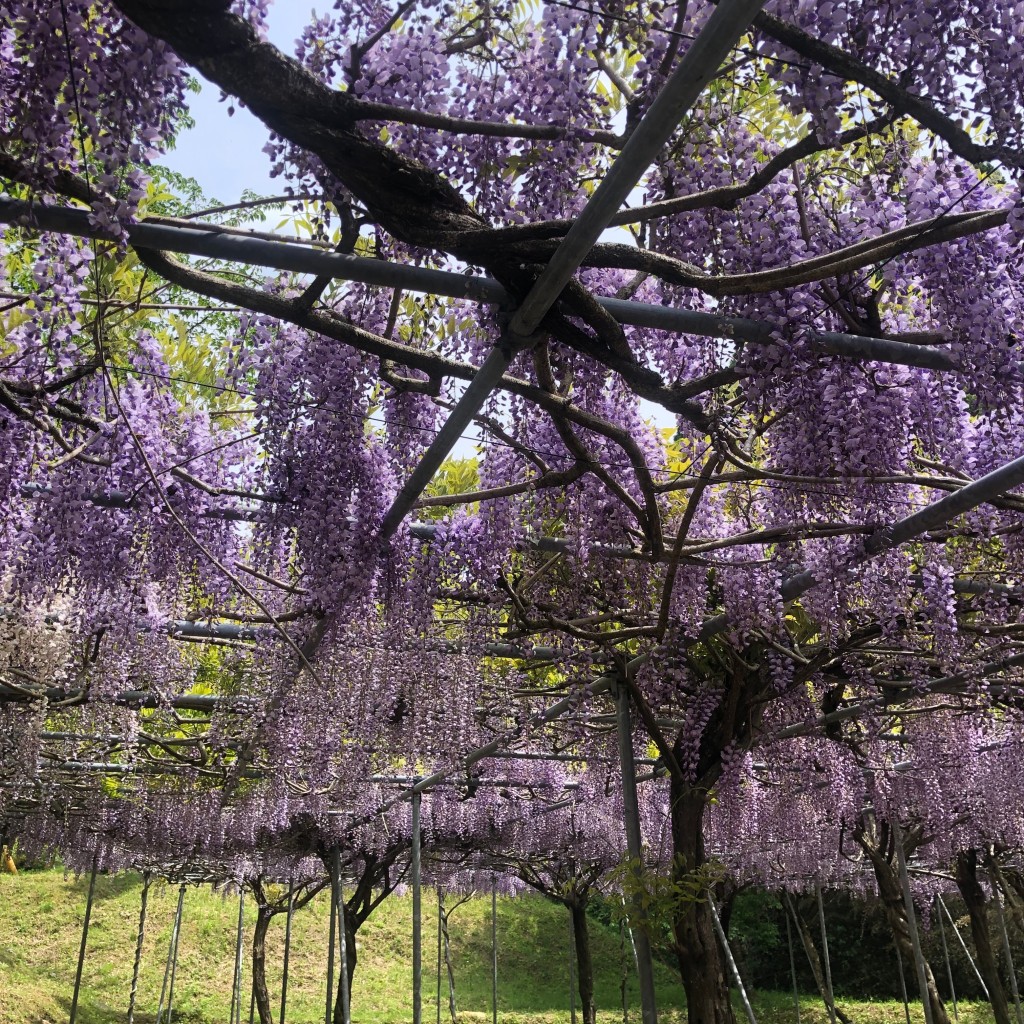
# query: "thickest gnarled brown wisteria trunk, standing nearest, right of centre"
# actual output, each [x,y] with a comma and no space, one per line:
[702,965]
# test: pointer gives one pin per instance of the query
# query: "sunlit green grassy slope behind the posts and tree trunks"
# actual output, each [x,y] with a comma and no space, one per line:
[40,929]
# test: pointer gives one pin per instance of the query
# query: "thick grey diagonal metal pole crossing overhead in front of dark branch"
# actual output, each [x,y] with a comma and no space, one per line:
[728,23]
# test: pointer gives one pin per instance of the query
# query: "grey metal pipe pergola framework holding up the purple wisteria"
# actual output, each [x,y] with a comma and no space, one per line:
[731,20]
